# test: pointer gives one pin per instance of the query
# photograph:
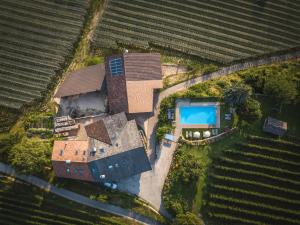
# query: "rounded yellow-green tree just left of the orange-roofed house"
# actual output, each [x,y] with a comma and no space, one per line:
[30,155]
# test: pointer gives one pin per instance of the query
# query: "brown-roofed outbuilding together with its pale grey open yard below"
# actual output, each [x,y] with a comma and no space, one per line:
[83,92]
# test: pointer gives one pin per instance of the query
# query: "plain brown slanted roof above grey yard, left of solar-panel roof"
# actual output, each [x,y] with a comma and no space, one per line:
[86,80]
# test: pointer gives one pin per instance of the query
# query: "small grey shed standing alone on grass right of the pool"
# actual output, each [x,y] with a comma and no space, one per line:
[274,126]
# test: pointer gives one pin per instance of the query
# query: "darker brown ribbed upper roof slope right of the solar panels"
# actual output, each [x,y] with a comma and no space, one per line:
[142,66]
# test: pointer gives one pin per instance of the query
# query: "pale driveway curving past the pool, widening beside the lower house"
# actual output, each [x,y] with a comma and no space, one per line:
[149,185]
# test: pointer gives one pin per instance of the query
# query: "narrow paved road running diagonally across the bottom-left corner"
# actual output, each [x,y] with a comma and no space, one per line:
[76,197]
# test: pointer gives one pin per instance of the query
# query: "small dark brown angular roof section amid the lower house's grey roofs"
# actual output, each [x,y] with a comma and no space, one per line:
[98,131]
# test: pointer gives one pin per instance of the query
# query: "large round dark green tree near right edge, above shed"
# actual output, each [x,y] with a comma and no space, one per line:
[281,87]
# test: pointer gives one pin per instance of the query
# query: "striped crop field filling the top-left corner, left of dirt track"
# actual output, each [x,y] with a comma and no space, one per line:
[36,37]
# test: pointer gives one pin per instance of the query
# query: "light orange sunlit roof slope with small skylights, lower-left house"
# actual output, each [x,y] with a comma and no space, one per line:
[73,150]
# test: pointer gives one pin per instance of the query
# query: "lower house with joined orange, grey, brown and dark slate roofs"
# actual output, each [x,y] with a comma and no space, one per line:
[102,151]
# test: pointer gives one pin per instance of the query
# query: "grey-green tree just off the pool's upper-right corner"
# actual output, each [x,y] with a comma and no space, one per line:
[237,94]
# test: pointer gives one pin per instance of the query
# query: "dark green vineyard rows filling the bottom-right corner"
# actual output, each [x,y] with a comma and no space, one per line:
[257,182]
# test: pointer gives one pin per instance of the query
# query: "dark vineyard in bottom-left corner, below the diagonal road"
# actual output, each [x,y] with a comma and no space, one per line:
[23,204]
